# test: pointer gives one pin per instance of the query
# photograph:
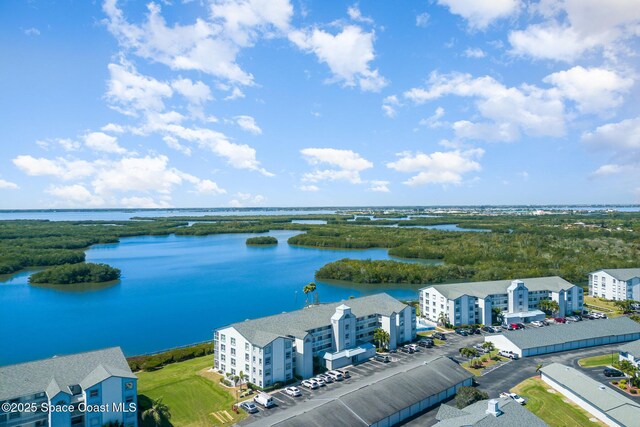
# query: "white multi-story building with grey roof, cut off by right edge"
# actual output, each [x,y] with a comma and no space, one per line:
[615,284]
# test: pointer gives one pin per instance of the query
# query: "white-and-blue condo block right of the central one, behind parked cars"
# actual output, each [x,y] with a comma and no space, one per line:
[517,300]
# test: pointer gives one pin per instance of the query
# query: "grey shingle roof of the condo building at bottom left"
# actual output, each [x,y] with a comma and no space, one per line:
[58,373]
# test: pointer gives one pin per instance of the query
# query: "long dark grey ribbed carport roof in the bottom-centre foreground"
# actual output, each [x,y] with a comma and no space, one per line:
[374,402]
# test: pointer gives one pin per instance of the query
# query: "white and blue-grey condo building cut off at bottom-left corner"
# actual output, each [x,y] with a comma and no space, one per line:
[80,390]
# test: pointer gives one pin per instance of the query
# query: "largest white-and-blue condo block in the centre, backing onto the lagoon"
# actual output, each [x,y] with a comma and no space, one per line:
[275,348]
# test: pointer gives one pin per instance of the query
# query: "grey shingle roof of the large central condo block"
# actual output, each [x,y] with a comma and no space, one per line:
[297,323]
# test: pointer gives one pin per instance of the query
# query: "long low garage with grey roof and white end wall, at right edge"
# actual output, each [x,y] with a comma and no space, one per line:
[571,336]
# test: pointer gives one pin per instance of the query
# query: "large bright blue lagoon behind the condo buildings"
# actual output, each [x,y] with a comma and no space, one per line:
[174,291]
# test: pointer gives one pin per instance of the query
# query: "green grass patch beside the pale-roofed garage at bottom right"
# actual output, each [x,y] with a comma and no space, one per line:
[552,408]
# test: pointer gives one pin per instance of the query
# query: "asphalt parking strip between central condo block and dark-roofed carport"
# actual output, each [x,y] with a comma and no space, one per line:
[368,369]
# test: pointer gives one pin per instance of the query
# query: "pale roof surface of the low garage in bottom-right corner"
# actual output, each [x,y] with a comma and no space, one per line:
[622,409]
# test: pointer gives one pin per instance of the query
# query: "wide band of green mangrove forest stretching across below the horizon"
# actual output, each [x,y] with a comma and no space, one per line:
[569,245]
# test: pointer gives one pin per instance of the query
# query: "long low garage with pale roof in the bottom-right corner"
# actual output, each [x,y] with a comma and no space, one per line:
[601,401]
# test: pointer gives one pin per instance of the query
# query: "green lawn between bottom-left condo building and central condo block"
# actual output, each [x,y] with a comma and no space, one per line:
[191,393]
